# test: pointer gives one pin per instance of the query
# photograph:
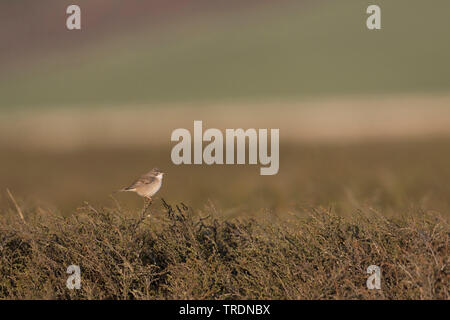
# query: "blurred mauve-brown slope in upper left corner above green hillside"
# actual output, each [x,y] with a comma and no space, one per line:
[30,29]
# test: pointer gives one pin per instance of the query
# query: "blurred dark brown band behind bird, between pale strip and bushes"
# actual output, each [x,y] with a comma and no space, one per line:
[393,177]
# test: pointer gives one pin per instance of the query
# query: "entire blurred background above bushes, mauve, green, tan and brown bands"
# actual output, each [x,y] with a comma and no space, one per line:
[364,116]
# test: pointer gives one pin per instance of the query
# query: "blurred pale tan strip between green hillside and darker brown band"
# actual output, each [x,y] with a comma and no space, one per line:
[331,120]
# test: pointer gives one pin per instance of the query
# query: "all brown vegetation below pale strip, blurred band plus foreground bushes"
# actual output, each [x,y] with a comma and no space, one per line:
[309,232]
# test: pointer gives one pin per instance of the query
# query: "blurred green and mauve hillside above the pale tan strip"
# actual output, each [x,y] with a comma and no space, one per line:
[186,51]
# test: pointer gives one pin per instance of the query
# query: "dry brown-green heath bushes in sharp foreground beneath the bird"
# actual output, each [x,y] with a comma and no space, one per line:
[177,254]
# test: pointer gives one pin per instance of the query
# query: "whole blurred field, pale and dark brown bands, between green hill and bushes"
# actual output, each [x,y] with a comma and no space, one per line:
[389,152]
